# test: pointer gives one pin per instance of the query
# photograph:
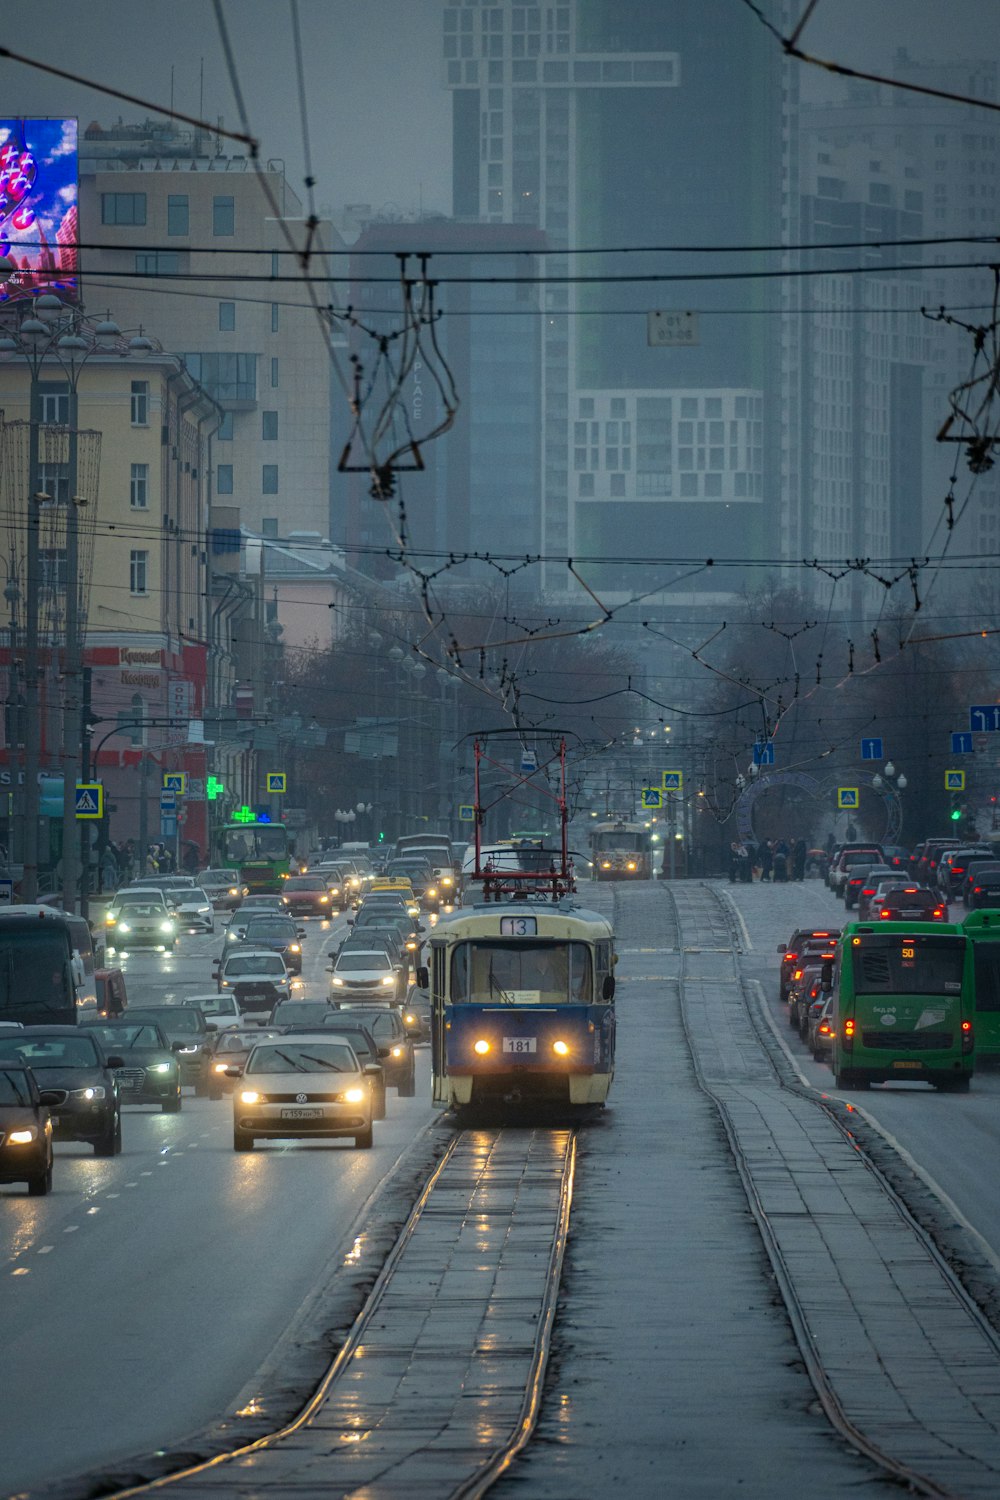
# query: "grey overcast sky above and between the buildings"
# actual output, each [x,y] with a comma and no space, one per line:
[379,116]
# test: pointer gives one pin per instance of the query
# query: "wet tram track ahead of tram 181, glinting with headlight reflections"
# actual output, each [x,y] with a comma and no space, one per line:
[440,1379]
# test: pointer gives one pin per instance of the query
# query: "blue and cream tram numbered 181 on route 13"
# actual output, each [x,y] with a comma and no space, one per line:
[522,998]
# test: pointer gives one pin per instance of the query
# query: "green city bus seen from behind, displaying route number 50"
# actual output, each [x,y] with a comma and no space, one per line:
[905,1006]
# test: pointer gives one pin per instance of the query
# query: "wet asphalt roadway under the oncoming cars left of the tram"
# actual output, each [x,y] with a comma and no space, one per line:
[143,1294]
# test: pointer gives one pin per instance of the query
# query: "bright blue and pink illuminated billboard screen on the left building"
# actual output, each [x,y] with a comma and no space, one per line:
[40,208]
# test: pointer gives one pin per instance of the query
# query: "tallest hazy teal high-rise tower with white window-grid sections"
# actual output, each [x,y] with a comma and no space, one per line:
[614,127]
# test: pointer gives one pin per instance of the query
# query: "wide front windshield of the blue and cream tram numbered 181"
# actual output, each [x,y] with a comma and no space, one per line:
[521,974]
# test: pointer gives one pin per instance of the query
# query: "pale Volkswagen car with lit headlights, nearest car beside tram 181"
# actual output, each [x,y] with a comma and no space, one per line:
[302,1087]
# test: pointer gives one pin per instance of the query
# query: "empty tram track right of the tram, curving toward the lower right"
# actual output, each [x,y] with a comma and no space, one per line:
[903,1363]
